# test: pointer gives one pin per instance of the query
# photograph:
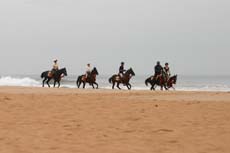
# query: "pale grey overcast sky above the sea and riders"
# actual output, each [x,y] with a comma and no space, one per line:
[192,35]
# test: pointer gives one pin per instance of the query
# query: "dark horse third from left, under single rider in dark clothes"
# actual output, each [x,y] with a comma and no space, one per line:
[124,79]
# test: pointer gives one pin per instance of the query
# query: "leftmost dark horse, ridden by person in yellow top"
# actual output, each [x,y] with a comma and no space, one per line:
[56,76]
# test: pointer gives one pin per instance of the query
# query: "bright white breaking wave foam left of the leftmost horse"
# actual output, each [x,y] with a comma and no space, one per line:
[13,81]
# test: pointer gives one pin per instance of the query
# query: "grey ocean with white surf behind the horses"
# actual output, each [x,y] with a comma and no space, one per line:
[184,83]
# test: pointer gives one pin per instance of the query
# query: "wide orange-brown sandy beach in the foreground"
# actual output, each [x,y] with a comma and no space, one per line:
[43,120]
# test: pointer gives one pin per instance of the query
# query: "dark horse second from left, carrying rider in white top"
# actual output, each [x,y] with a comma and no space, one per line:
[91,80]
